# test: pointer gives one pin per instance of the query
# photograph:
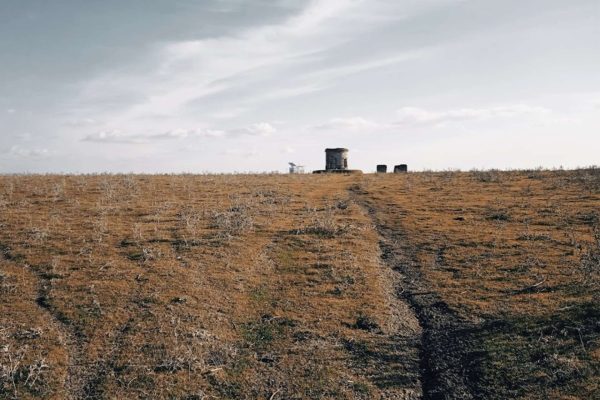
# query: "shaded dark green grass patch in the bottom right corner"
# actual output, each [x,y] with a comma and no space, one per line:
[554,353]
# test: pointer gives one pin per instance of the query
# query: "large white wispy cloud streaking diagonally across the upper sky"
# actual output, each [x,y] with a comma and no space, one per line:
[259,65]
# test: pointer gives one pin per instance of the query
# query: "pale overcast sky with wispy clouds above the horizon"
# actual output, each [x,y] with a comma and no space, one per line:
[248,85]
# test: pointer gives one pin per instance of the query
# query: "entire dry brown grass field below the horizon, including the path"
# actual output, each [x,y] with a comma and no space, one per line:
[452,285]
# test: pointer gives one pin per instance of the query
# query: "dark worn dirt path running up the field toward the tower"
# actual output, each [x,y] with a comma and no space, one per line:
[445,363]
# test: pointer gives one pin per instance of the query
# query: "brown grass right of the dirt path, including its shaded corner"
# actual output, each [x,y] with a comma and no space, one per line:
[516,256]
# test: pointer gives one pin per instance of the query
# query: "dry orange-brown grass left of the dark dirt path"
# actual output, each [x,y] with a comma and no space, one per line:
[183,286]
